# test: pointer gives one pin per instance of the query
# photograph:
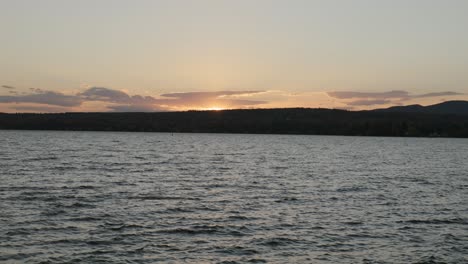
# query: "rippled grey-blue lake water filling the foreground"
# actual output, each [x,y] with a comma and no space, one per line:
[99,197]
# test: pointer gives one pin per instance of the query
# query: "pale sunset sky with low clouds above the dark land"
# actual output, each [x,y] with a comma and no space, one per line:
[171,55]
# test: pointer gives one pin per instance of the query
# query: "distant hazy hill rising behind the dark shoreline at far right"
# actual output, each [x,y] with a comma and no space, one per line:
[449,107]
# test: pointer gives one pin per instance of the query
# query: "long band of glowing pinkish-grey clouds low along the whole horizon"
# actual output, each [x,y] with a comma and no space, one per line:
[107,99]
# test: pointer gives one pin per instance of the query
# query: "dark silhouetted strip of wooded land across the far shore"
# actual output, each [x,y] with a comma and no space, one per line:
[448,119]
